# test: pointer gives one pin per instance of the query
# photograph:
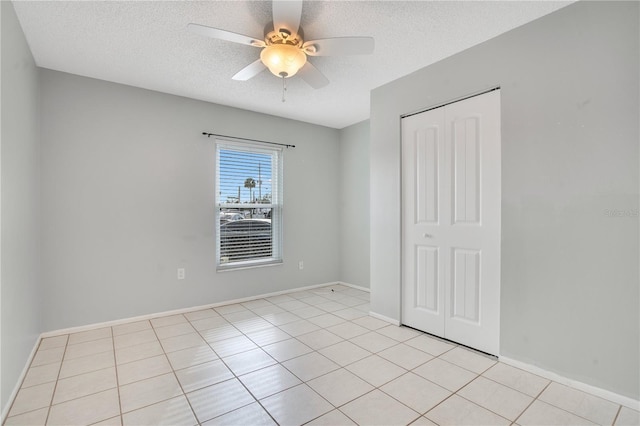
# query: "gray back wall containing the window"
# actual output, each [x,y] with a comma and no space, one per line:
[128,184]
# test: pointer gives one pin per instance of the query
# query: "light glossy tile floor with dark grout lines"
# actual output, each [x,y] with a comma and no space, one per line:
[307,357]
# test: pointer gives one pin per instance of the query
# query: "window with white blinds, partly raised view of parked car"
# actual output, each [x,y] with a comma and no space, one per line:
[249,204]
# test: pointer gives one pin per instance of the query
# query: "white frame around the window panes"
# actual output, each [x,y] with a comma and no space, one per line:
[276,205]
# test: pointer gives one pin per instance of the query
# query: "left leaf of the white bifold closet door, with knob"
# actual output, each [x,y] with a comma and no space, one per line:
[423,155]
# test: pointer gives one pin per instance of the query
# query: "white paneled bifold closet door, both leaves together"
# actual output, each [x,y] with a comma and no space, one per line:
[451,221]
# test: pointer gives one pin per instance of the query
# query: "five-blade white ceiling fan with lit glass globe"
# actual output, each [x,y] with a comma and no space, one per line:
[284,50]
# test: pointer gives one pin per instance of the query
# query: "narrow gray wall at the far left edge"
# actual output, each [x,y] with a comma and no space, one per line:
[19,261]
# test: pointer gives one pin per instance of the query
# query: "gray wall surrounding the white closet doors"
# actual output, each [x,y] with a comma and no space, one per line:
[569,295]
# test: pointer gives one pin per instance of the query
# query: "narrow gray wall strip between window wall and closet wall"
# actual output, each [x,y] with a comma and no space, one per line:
[353,210]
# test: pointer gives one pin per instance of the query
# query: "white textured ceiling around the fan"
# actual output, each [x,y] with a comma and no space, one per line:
[146,44]
